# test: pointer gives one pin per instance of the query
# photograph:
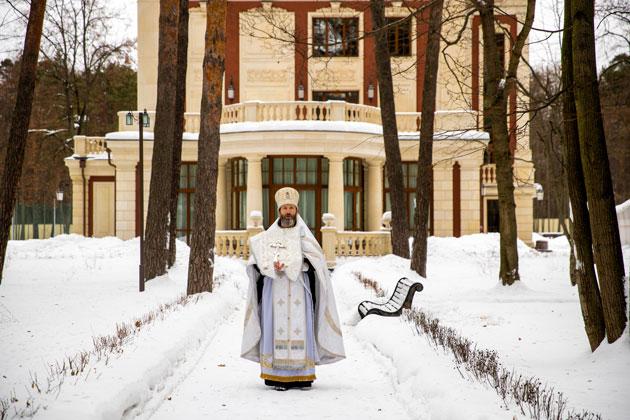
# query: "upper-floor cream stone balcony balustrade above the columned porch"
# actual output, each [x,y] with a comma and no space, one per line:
[257,111]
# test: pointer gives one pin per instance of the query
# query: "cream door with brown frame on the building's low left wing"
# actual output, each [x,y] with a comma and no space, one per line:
[102,203]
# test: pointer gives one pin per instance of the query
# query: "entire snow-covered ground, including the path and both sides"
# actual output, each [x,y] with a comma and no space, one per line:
[58,295]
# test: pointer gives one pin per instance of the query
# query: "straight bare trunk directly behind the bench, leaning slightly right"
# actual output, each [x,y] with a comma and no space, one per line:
[424,179]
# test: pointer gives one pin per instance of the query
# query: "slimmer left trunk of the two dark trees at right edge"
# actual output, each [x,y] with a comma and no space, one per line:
[588,290]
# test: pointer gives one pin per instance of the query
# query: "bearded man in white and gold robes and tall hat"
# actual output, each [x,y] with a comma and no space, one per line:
[291,320]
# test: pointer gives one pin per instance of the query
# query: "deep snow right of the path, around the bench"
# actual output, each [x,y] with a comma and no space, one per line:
[536,326]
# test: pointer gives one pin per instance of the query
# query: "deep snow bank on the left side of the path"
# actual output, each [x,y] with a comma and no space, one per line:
[85,287]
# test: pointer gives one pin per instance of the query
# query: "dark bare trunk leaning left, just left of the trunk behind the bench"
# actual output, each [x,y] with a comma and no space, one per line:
[393,163]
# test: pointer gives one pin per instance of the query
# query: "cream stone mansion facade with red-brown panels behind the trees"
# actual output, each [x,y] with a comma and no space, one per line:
[301,109]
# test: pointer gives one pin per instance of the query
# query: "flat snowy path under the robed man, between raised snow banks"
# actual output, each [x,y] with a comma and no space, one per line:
[224,386]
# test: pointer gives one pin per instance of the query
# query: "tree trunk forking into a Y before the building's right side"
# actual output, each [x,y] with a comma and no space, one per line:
[498,84]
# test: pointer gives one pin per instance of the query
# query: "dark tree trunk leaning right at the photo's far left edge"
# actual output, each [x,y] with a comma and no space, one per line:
[18,133]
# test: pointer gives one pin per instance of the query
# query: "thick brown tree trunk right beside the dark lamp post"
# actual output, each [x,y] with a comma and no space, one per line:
[155,254]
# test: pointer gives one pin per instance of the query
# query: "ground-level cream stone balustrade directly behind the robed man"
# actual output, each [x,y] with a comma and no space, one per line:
[235,243]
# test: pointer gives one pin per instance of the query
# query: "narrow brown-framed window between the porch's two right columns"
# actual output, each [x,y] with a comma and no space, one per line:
[353,194]
